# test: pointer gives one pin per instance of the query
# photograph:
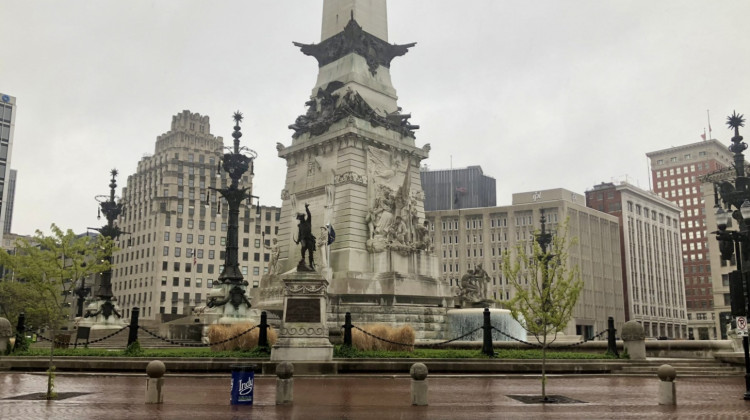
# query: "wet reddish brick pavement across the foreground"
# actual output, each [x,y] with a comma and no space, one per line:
[111,396]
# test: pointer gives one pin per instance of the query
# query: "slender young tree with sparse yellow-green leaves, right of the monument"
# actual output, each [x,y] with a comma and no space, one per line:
[546,287]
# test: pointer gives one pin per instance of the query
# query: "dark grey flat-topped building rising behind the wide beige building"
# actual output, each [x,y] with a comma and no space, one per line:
[464,188]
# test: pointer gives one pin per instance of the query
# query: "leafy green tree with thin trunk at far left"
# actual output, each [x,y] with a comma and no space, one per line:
[47,268]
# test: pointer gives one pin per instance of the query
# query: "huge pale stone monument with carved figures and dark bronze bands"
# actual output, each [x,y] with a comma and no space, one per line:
[353,158]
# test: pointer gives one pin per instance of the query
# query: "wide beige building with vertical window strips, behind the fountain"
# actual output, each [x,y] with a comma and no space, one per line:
[466,238]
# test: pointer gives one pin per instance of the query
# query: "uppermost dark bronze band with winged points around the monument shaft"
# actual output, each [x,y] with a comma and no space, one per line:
[355,40]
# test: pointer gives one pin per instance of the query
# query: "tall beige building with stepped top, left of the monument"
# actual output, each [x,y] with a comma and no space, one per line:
[175,248]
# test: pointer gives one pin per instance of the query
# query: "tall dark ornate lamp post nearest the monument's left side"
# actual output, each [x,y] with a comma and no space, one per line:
[235,162]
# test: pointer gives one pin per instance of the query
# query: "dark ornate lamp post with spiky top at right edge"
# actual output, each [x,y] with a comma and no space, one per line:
[737,242]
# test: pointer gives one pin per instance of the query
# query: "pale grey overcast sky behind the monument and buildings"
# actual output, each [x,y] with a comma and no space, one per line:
[541,94]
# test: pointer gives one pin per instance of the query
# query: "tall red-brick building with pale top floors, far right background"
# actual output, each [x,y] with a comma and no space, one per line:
[676,175]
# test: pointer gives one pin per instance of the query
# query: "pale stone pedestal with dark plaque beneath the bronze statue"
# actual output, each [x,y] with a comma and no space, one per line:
[304,334]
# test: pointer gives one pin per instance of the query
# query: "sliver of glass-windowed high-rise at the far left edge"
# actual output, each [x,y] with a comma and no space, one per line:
[7,126]
